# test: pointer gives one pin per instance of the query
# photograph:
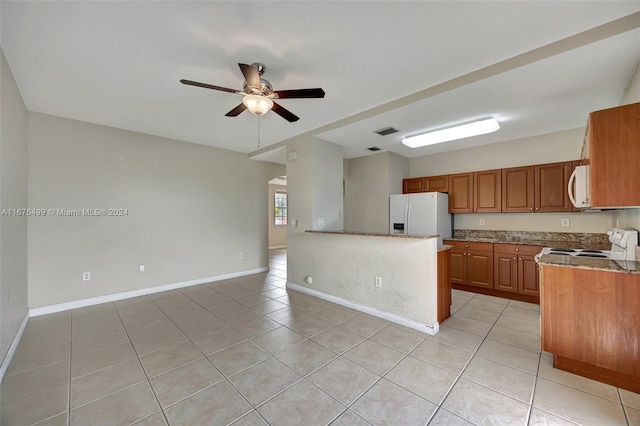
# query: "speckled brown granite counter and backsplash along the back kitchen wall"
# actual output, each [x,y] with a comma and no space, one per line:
[575,240]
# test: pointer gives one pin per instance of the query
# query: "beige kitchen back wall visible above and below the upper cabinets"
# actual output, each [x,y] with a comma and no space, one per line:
[549,148]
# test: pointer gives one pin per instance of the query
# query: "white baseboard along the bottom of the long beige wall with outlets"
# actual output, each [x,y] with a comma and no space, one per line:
[34,312]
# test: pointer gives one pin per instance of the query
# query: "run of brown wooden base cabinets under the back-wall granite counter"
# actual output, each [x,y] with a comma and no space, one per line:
[504,270]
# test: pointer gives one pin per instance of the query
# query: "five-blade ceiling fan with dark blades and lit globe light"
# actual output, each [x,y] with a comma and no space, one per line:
[258,94]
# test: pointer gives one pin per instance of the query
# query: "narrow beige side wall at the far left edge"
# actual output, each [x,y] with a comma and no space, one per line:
[13,195]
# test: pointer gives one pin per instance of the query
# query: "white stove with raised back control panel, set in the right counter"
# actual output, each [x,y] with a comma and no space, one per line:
[623,247]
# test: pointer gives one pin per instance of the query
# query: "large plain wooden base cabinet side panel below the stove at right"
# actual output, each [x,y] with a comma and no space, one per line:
[590,323]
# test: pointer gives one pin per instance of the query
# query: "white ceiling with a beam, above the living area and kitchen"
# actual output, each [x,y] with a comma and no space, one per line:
[411,65]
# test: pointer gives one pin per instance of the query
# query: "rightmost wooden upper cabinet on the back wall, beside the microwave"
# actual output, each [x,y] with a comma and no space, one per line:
[551,182]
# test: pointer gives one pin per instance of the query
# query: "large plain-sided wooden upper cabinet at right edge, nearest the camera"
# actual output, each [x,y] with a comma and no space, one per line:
[613,150]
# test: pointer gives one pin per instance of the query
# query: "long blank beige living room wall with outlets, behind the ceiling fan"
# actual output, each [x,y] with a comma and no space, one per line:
[191,210]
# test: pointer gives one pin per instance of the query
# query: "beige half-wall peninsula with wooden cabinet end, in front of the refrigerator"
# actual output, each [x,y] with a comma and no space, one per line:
[394,277]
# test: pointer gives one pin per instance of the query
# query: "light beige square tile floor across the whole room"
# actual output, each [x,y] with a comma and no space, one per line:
[246,351]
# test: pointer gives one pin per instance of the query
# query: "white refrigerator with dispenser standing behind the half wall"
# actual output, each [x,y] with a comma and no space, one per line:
[424,213]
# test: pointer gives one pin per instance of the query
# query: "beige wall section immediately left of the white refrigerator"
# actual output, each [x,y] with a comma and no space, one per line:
[370,181]
